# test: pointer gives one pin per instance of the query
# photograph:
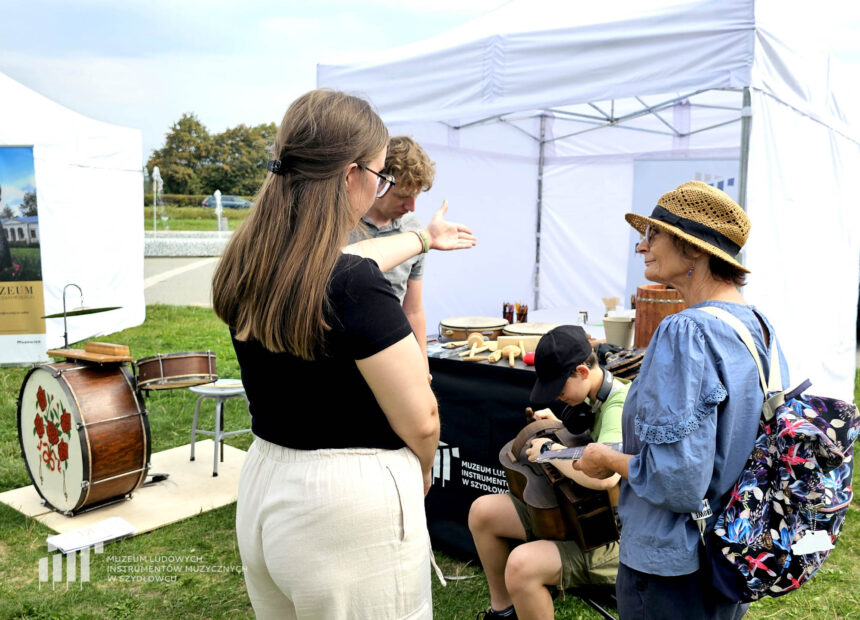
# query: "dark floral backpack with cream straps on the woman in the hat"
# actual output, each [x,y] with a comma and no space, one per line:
[780,520]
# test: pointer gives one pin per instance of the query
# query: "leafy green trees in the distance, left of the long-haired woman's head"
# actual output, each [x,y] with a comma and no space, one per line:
[193,161]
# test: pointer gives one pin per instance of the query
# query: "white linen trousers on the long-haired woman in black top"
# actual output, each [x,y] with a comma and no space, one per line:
[334,534]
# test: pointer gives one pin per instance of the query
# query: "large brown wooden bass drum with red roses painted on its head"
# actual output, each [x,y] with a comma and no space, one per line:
[84,434]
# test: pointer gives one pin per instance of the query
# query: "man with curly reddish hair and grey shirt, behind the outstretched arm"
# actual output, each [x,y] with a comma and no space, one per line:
[393,213]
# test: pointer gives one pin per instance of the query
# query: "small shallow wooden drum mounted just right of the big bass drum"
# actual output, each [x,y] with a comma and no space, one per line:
[168,371]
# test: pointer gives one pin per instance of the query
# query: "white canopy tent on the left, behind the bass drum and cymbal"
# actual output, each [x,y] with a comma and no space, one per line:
[89,189]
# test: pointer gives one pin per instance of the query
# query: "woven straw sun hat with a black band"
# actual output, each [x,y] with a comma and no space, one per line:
[701,215]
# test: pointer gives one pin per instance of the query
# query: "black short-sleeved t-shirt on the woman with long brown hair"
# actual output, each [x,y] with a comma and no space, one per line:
[325,403]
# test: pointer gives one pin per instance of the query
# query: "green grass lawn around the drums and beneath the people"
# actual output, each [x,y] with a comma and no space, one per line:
[833,593]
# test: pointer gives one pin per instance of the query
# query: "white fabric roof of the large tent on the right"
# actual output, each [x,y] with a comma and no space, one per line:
[538,54]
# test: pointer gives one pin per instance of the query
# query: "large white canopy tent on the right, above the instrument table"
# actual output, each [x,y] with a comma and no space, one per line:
[548,120]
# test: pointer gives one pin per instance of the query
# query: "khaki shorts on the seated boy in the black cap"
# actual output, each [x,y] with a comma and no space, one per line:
[596,567]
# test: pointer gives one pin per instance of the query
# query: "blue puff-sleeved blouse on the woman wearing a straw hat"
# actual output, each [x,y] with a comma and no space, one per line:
[690,420]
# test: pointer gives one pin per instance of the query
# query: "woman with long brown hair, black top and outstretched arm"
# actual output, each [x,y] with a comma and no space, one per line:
[330,517]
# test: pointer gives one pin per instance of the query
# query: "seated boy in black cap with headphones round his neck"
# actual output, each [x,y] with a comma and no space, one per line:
[567,370]
